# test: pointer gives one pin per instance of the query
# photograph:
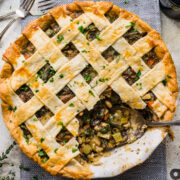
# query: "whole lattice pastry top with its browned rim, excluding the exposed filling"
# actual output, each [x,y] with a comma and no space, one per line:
[48,50]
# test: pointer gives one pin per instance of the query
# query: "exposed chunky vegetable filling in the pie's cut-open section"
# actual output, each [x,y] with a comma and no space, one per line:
[110,124]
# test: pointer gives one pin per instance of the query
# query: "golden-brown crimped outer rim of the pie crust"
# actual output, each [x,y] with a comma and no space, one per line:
[72,169]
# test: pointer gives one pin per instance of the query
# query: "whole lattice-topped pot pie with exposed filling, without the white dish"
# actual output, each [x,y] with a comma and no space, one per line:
[74,83]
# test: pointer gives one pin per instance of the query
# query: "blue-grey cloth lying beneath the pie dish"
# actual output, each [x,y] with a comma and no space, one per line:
[155,167]
